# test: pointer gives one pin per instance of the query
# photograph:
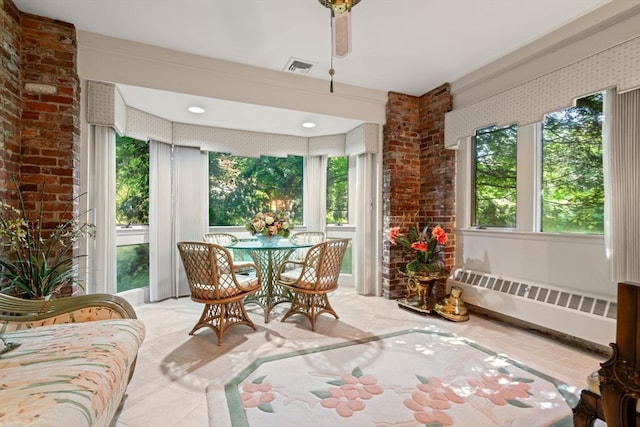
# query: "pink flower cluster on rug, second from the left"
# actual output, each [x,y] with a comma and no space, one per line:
[347,398]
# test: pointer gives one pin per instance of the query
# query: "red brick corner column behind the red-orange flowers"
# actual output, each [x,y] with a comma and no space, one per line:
[418,175]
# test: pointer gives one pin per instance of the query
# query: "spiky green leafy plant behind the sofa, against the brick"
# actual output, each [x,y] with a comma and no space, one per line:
[37,262]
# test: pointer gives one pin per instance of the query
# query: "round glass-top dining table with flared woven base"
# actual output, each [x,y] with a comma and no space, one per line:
[268,260]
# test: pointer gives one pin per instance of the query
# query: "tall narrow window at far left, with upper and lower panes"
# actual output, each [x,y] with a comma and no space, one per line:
[132,213]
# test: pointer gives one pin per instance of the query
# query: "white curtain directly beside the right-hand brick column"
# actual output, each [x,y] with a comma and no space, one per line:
[366,260]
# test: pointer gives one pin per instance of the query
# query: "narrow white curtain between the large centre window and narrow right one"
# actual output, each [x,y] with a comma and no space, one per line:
[315,193]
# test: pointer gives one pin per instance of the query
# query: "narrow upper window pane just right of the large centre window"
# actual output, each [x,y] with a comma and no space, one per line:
[337,190]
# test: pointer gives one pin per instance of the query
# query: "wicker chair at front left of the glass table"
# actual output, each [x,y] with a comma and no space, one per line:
[213,281]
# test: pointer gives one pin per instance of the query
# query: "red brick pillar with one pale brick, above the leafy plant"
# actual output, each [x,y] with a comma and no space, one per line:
[51,112]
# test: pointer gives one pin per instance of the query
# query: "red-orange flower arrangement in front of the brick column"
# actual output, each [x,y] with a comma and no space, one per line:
[426,246]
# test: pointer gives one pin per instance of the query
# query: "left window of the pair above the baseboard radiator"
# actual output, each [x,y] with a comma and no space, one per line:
[495,177]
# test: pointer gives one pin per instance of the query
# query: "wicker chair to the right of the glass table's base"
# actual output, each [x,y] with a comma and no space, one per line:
[312,279]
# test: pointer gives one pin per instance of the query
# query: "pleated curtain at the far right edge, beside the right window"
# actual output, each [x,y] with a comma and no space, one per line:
[622,186]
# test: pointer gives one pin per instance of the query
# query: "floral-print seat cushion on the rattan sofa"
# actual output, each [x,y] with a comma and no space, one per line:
[68,374]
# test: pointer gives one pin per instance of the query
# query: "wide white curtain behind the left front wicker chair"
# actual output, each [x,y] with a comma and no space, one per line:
[178,200]
